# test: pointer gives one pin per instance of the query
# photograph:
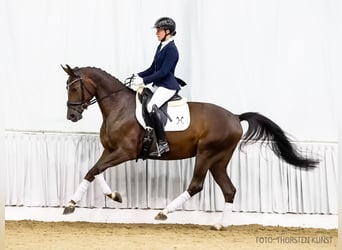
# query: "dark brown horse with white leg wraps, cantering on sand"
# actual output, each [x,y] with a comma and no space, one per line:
[212,137]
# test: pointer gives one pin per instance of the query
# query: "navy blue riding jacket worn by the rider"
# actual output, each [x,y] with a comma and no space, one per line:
[161,72]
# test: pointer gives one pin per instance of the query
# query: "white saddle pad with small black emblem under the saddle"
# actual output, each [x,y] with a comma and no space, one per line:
[177,110]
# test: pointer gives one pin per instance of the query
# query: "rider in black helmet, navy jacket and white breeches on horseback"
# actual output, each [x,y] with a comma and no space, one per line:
[160,79]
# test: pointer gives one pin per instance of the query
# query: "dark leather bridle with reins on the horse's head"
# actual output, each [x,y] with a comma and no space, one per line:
[83,103]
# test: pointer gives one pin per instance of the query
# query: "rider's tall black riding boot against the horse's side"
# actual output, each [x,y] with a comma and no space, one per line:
[162,145]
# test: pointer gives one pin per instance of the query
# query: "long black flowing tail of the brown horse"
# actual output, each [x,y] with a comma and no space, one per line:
[260,128]
